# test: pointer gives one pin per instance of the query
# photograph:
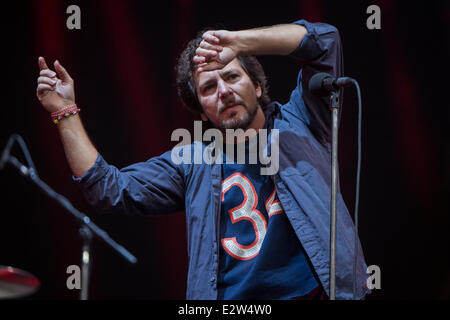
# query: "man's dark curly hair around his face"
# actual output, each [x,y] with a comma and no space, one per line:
[186,67]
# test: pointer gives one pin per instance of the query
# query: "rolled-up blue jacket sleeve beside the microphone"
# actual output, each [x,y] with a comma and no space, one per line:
[319,51]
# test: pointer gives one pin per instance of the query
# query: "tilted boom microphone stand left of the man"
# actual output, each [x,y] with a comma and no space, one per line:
[87,229]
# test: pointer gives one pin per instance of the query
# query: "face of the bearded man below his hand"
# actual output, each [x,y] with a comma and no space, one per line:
[228,96]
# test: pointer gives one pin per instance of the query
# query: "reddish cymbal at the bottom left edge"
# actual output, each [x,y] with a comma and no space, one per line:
[16,283]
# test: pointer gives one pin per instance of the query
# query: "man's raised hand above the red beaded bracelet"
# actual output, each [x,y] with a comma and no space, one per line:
[55,89]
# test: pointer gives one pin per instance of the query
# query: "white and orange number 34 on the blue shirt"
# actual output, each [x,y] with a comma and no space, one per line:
[247,211]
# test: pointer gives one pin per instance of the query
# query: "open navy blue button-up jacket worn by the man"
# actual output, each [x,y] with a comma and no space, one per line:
[159,186]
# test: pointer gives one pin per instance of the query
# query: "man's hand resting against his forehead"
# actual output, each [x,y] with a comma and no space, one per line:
[217,49]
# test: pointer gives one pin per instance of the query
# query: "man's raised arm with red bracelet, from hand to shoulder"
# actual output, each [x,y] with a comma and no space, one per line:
[152,187]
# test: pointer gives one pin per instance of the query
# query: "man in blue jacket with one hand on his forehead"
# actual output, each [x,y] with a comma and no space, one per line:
[250,236]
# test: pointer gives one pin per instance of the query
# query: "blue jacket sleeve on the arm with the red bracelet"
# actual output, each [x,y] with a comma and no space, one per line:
[152,187]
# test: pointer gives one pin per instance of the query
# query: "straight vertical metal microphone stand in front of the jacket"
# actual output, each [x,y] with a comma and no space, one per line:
[334,105]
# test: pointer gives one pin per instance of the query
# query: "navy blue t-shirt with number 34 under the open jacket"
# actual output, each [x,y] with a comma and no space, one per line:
[260,254]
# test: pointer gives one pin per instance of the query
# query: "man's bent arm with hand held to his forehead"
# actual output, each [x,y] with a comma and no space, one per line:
[316,47]
